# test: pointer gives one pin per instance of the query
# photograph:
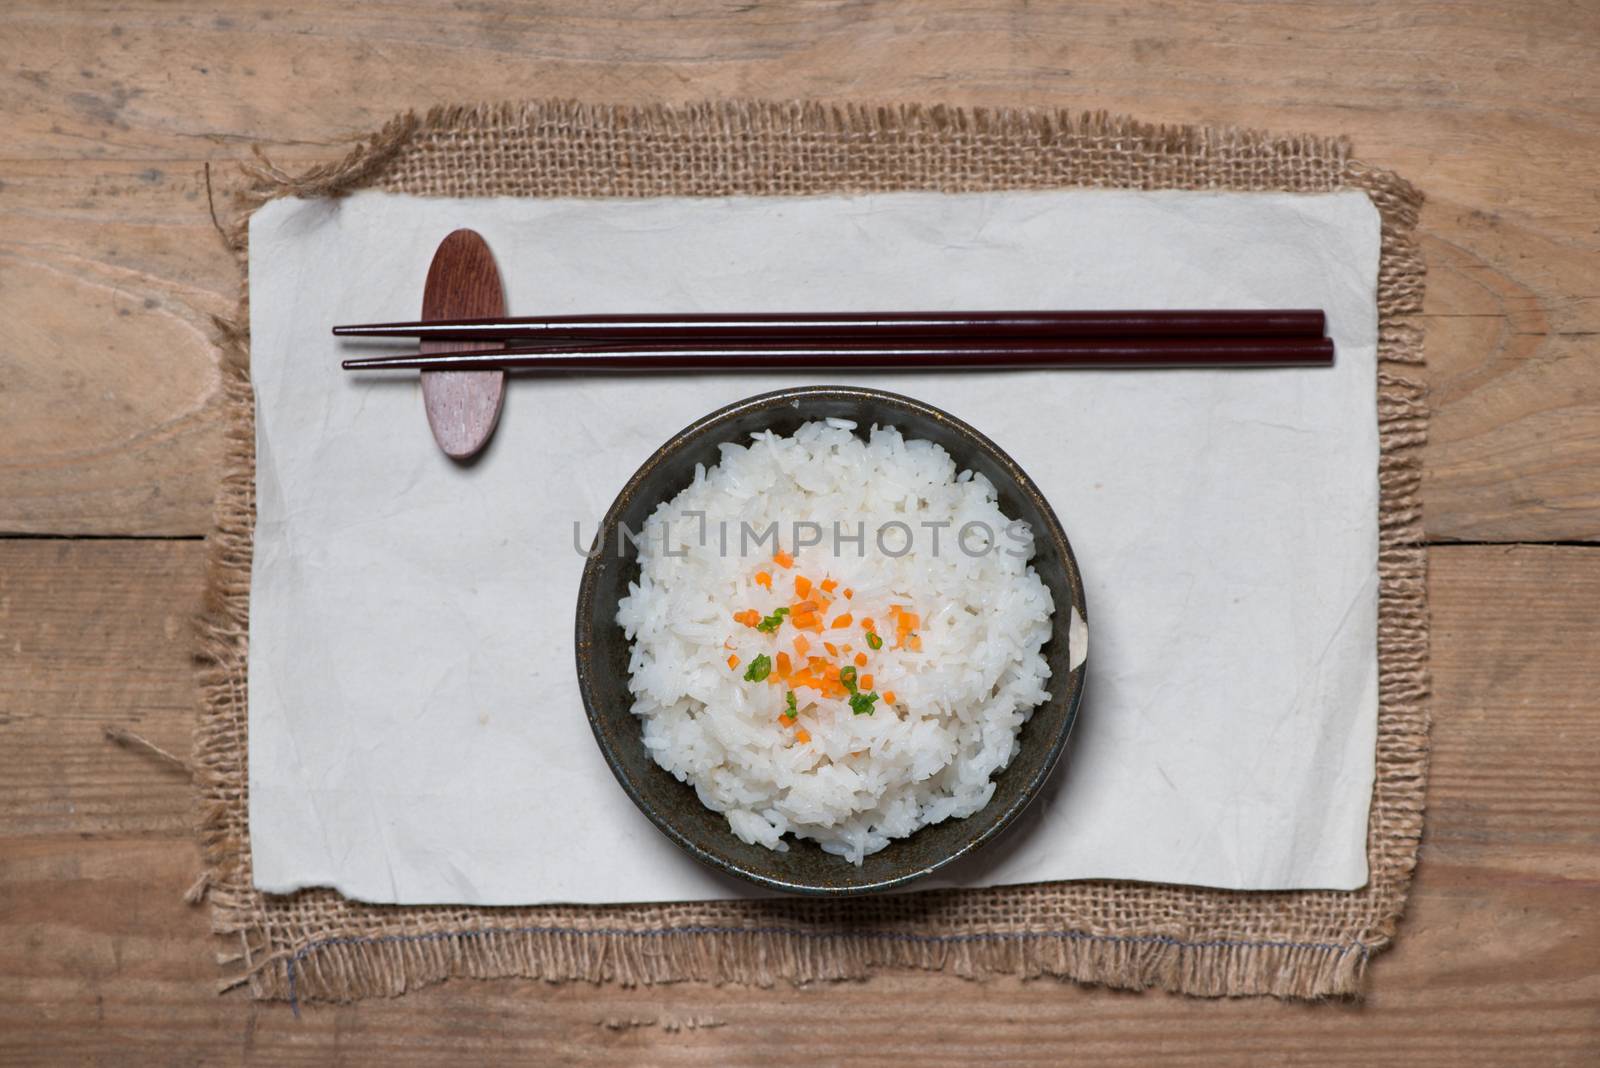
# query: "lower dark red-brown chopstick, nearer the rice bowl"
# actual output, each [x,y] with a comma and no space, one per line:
[974,356]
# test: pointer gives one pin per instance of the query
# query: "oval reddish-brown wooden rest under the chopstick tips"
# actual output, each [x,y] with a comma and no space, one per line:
[463,407]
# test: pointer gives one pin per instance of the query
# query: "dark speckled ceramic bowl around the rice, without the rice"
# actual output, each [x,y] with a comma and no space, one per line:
[604,648]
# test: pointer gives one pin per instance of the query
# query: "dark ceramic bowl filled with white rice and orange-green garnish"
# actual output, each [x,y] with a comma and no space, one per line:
[831,640]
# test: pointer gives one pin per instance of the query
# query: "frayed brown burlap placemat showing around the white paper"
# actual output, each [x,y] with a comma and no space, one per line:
[318,946]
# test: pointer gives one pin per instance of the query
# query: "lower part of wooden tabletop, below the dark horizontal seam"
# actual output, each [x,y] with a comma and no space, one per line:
[100,962]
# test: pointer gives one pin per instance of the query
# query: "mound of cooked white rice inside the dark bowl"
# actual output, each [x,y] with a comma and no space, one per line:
[850,783]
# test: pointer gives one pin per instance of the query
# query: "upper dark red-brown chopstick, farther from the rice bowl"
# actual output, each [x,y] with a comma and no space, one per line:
[798,329]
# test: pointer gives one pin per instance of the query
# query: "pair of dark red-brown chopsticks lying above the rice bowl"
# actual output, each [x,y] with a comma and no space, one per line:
[889,341]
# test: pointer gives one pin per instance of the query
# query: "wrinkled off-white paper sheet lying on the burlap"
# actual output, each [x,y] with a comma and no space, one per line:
[415,727]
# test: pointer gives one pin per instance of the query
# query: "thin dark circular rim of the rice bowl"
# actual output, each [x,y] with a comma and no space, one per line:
[702,428]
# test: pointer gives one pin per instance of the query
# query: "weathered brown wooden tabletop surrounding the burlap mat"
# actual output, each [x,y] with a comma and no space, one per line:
[110,442]
